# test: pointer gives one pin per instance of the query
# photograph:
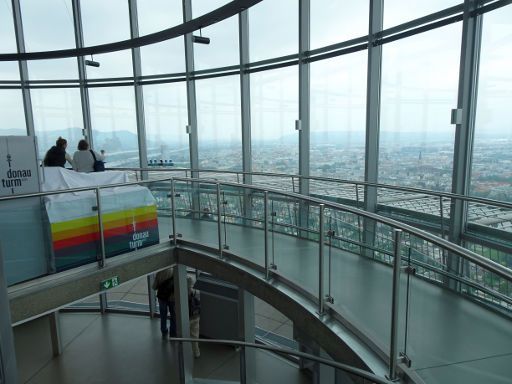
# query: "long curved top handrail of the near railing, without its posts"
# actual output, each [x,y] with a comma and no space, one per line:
[490,265]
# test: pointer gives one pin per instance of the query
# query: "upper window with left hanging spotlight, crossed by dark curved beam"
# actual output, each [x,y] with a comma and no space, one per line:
[106,22]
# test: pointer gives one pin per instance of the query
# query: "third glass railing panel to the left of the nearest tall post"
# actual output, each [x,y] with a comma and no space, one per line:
[242,224]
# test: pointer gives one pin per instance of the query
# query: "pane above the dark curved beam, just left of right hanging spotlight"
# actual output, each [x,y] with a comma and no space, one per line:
[156,15]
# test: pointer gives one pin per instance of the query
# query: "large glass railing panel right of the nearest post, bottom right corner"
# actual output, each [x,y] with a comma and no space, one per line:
[475,338]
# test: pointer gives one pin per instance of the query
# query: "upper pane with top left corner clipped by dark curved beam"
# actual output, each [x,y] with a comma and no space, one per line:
[273,29]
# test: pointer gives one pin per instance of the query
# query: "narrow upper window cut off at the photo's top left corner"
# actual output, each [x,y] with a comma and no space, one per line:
[8,70]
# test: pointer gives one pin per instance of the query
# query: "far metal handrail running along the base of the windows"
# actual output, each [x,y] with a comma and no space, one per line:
[448,195]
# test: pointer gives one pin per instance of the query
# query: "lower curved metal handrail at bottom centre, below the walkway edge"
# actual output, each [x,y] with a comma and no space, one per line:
[344,367]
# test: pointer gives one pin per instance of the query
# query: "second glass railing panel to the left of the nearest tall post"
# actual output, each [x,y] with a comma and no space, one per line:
[292,223]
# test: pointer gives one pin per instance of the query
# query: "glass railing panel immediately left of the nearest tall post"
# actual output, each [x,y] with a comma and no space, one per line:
[357,287]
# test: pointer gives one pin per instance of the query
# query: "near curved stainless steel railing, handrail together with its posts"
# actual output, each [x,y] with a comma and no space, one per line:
[396,227]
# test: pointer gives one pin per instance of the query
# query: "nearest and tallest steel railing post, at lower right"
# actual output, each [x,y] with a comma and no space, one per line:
[395,304]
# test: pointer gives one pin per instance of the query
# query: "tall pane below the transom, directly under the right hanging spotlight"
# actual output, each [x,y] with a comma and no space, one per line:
[219,123]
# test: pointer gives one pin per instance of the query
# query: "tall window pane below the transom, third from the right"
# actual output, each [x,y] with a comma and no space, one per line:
[338,116]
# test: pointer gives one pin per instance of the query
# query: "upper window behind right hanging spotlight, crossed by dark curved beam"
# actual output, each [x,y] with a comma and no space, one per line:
[223,48]
